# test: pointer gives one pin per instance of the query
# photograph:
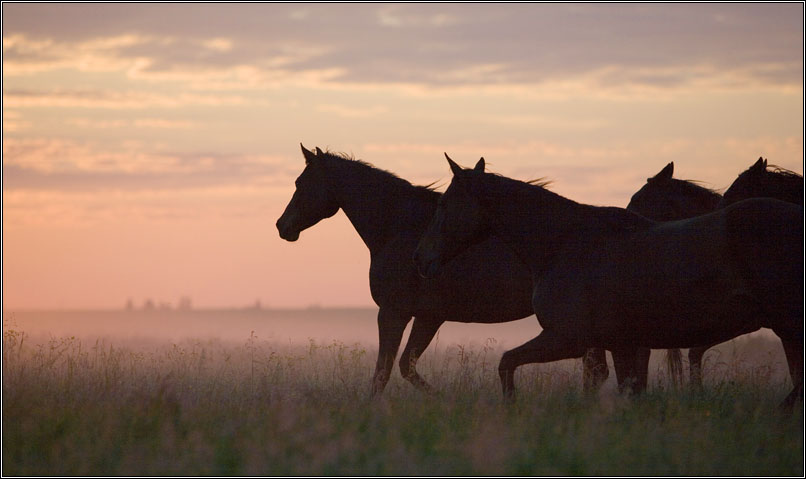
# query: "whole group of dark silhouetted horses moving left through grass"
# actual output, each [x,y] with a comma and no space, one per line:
[681,267]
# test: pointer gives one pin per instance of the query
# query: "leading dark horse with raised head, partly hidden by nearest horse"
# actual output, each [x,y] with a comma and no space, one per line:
[487,284]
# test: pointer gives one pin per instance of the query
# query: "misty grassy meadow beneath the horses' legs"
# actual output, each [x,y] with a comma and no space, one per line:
[73,405]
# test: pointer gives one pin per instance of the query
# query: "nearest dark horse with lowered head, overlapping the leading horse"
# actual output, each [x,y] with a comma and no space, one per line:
[606,277]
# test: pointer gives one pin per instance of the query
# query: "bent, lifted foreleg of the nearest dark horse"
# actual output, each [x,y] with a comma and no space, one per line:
[546,347]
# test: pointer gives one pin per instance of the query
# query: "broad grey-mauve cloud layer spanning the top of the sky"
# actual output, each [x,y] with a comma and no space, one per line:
[659,46]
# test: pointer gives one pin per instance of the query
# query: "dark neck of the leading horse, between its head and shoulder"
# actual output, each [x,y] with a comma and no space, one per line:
[379,205]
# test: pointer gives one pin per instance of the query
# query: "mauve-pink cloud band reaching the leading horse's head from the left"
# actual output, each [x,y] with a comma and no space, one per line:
[52,164]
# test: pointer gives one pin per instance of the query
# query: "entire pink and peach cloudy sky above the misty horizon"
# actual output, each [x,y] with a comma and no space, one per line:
[148,149]
